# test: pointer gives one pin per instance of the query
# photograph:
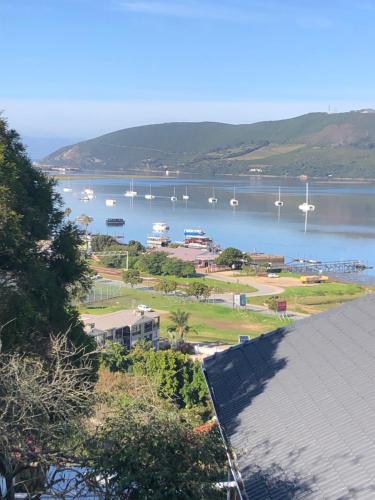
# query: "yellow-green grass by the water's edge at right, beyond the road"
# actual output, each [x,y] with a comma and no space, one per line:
[311,299]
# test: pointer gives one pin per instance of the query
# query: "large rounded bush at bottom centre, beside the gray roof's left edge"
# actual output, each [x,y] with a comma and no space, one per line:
[149,452]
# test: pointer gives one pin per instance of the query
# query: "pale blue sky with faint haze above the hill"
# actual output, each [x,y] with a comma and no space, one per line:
[72,69]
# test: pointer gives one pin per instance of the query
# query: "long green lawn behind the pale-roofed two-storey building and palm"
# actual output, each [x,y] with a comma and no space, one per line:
[212,322]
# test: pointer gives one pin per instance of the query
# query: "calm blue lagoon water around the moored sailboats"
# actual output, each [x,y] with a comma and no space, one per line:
[341,228]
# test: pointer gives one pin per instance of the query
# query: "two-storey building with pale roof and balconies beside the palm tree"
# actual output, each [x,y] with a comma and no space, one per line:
[125,327]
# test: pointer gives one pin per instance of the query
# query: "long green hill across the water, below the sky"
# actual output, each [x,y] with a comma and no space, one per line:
[316,144]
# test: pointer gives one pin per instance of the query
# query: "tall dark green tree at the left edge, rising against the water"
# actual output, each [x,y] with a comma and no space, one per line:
[41,265]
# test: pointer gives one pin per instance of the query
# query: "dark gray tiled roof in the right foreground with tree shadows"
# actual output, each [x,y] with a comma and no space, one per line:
[298,406]
